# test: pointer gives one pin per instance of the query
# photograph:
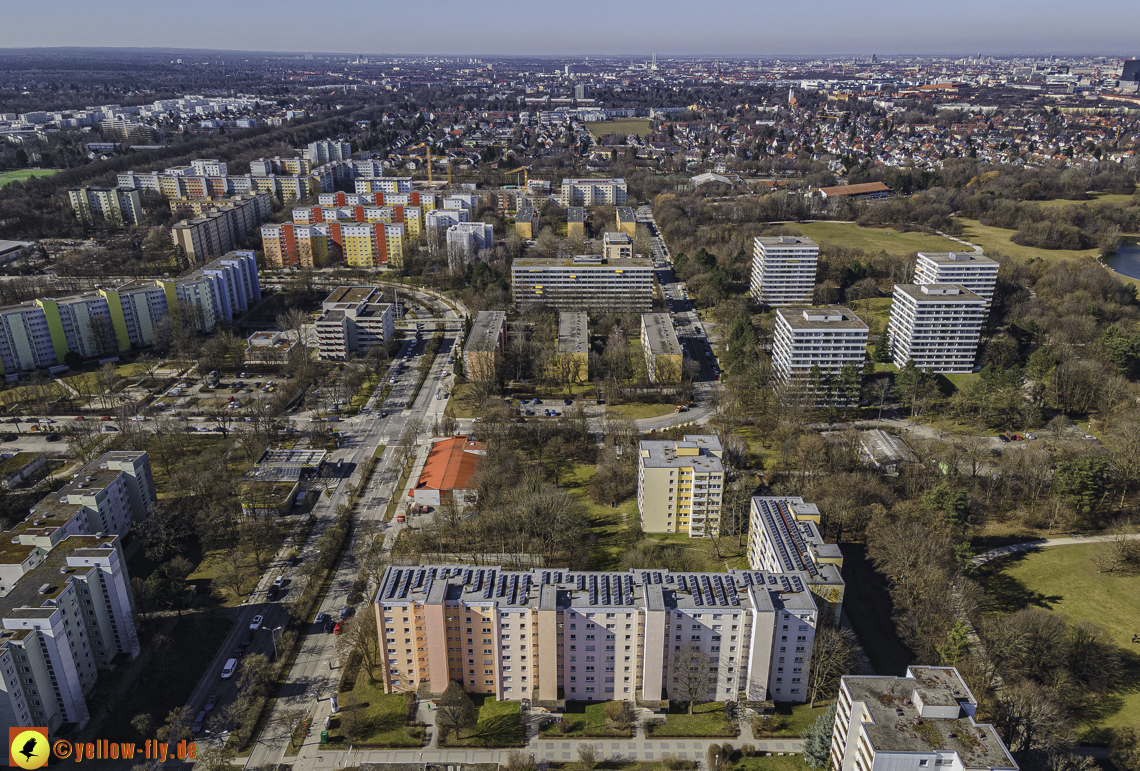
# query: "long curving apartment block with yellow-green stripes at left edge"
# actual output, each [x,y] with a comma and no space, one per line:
[39,335]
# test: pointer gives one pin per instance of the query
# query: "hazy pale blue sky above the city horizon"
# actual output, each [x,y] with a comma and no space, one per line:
[574,28]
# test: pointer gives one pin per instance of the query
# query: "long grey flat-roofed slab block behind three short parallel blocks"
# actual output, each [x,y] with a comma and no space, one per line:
[585,283]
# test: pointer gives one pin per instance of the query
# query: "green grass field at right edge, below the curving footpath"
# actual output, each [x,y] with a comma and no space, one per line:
[1065,581]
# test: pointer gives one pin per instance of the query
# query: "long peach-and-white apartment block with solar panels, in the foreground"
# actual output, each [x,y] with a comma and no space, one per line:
[553,636]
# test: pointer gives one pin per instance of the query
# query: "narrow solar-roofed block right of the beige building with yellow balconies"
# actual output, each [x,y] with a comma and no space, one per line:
[784,537]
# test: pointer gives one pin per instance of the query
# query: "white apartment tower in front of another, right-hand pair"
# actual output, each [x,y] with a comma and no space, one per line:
[937,326]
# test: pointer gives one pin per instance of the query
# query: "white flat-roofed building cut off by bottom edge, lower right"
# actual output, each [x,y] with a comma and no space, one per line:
[923,720]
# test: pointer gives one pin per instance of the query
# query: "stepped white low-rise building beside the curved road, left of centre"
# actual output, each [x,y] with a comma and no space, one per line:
[354,321]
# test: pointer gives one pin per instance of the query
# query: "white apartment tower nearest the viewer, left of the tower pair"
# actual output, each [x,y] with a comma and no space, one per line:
[827,338]
